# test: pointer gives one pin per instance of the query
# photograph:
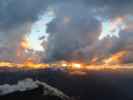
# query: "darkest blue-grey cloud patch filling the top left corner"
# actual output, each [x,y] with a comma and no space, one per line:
[17,12]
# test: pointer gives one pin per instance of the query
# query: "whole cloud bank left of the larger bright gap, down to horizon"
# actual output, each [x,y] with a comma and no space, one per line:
[16,19]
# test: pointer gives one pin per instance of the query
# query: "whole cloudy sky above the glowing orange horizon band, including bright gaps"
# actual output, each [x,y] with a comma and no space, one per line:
[65,29]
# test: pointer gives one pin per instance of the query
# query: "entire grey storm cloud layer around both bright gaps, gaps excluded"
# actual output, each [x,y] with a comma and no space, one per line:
[73,33]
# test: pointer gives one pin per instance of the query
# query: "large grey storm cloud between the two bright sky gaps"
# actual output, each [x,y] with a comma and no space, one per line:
[75,30]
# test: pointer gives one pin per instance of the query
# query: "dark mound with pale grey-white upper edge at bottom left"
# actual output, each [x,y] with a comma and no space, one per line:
[28,88]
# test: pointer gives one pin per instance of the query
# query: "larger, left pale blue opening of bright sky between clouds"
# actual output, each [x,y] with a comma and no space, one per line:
[38,30]
